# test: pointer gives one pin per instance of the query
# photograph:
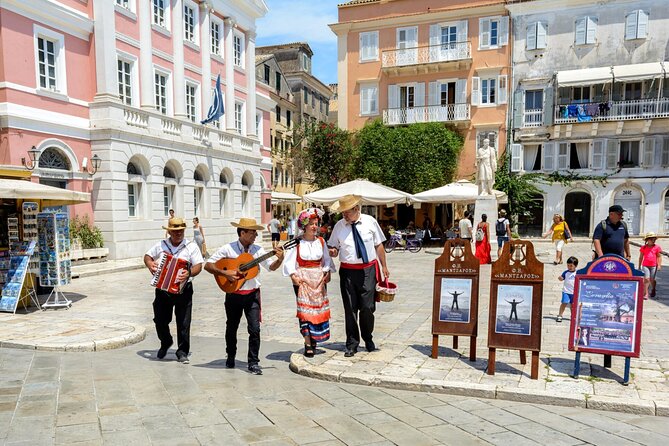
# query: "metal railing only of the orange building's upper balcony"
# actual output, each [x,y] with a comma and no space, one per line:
[446,52]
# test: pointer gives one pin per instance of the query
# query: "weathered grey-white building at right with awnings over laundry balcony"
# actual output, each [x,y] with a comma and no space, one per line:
[591,102]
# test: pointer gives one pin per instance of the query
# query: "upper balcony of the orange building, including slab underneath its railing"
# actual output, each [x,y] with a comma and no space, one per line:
[449,56]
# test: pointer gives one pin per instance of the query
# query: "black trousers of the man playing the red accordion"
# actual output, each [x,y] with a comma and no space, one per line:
[182,305]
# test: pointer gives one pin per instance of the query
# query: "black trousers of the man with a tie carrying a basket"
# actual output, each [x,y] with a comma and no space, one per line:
[357,292]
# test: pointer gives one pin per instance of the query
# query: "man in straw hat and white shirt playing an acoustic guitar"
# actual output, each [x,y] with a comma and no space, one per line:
[247,298]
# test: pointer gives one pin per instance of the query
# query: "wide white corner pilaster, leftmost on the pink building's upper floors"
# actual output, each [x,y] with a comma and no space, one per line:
[105,52]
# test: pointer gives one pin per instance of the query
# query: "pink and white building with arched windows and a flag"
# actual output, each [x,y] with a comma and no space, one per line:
[129,81]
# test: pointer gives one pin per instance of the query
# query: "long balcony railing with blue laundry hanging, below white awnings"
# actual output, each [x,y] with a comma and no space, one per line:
[612,111]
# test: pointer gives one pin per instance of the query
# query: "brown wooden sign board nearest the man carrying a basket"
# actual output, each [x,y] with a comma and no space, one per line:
[456,295]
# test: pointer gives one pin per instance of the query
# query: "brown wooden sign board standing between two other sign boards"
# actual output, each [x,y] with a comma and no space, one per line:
[516,298]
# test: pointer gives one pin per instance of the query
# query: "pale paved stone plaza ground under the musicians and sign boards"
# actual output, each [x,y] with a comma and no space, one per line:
[125,396]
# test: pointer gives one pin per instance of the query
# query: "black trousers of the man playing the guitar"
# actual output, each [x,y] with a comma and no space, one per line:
[249,305]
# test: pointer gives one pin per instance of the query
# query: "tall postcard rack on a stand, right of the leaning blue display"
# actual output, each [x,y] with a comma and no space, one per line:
[55,264]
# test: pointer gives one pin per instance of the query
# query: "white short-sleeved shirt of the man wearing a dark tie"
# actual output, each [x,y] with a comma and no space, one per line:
[342,238]
